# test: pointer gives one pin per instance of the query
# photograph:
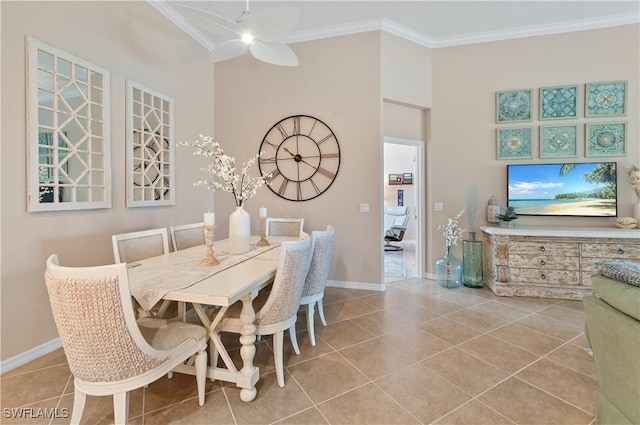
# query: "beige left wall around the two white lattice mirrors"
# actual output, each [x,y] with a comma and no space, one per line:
[131,40]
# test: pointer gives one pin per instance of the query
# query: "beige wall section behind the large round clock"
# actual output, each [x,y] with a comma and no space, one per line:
[338,81]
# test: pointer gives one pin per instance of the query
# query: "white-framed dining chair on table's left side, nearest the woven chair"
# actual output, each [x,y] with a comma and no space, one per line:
[134,246]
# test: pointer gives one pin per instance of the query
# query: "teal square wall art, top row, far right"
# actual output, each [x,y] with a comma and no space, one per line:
[606,99]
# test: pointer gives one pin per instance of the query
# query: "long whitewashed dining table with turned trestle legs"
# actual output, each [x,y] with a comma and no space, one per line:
[179,276]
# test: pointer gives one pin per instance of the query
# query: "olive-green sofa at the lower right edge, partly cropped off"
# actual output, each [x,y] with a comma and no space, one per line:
[613,331]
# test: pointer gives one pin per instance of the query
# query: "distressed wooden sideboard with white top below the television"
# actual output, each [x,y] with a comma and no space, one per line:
[551,262]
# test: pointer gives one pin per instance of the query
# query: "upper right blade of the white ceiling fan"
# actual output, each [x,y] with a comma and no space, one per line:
[270,25]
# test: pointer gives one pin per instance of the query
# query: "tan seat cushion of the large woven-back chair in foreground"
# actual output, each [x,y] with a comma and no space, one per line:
[163,334]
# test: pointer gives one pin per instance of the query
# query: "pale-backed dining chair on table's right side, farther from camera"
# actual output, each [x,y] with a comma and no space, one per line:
[316,280]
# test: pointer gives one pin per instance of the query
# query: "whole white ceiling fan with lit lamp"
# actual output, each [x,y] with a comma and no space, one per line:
[259,32]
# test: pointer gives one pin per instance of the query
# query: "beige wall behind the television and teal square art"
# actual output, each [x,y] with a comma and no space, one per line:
[462,150]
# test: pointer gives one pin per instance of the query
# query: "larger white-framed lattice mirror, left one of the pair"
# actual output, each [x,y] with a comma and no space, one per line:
[68,137]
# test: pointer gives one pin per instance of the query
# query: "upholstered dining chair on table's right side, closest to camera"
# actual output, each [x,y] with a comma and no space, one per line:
[277,310]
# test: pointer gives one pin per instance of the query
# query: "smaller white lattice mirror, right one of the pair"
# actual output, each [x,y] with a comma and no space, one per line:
[150,147]
